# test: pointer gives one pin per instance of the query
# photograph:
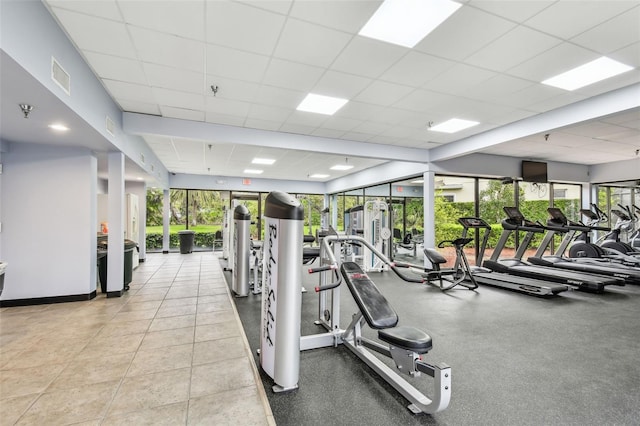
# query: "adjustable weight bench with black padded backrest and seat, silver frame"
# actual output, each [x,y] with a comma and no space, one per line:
[405,344]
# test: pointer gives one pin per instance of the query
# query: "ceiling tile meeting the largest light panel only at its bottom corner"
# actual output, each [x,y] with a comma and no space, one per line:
[416,68]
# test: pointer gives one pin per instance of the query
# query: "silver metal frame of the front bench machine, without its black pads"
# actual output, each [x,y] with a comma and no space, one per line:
[406,361]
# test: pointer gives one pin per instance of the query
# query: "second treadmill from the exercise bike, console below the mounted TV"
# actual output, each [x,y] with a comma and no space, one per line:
[515,222]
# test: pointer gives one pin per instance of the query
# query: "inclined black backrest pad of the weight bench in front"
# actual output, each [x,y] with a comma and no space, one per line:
[374,306]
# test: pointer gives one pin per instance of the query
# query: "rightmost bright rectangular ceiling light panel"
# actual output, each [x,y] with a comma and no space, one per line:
[589,73]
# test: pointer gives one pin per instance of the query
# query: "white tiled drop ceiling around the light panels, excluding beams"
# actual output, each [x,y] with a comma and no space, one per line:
[485,64]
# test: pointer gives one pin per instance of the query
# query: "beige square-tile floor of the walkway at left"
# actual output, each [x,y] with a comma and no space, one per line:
[171,351]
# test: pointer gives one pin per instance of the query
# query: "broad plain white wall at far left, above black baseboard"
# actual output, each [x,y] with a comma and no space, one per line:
[48,208]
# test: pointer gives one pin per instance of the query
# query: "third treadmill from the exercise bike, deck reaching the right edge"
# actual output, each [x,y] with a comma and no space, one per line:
[559,224]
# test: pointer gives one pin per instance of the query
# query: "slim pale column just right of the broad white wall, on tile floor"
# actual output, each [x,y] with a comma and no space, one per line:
[115,252]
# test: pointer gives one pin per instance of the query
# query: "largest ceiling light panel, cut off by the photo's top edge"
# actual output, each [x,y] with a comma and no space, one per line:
[406,22]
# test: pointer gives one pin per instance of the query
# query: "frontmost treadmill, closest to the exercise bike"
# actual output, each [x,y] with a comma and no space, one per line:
[484,276]
